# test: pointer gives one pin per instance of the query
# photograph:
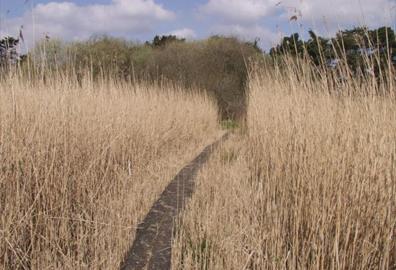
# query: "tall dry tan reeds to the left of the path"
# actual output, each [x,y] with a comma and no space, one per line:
[79,167]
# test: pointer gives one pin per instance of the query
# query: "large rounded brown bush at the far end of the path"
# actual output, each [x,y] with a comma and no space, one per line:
[218,64]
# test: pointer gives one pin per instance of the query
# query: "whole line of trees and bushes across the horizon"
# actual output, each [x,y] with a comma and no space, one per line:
[217,64]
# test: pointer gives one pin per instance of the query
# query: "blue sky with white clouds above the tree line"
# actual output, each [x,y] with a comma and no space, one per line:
[140,20]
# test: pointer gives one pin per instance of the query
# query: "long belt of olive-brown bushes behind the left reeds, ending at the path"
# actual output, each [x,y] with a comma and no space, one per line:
[217,65]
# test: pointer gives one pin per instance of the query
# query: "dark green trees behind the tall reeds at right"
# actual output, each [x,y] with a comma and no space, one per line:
[355,45]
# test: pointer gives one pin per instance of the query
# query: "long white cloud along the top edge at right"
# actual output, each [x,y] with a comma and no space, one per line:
[335,12]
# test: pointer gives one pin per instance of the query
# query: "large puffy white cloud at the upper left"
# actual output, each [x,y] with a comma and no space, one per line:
[70,21]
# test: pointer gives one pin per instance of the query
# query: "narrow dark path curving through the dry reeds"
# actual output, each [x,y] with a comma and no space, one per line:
[151,248]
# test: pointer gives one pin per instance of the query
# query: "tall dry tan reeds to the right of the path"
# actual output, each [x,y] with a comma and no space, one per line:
[311,184]
